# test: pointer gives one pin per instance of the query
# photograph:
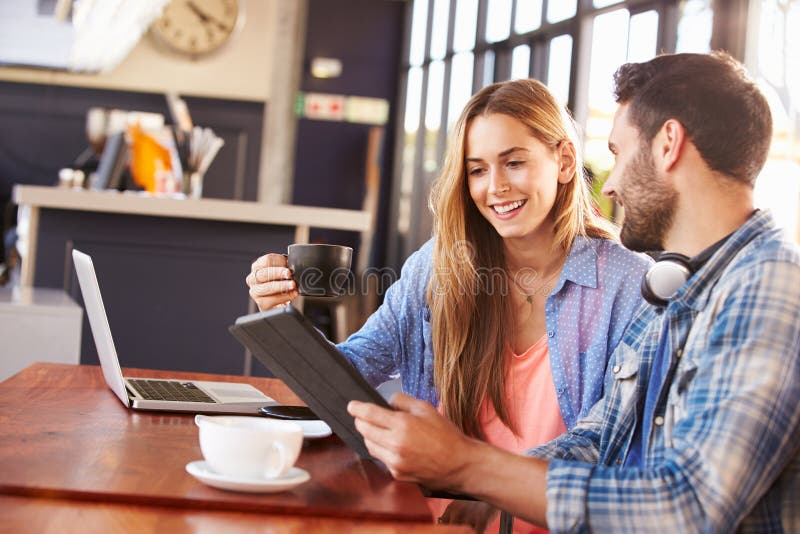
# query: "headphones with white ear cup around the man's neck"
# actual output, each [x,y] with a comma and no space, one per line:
[670,271]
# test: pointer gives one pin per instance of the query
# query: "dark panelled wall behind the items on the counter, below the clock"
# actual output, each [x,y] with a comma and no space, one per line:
[42,129]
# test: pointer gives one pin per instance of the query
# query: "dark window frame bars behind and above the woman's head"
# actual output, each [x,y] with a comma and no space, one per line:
[403,241]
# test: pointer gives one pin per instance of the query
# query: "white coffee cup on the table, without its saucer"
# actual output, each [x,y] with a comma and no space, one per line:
[253,447]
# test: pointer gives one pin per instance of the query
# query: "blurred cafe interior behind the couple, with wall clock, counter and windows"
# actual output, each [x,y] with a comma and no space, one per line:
[177,140]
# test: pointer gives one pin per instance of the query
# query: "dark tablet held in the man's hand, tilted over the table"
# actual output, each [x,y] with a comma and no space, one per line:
[294,351]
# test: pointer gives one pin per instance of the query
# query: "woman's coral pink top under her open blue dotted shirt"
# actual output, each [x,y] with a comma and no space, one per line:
[533,407]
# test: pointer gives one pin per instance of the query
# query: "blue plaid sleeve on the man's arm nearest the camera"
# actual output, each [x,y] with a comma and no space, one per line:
[738,430]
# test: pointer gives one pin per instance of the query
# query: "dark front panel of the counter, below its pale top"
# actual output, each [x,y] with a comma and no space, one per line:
[169,295]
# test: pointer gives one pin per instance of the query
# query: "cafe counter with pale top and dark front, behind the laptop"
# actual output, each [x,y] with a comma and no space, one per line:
[171,270]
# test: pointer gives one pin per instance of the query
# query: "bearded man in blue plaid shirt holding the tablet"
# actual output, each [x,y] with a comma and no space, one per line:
[699,426]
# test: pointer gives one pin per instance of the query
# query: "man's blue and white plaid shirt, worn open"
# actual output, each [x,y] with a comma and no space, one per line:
[724,451]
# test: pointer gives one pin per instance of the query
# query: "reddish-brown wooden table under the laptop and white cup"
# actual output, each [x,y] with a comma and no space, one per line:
[66,437]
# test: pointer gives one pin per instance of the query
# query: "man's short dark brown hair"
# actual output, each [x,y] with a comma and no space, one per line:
[724,113]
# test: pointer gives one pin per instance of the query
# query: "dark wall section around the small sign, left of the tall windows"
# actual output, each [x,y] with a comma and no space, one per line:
[367,36]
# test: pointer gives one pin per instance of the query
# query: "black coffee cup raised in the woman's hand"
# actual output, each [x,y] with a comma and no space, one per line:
[320,270]
